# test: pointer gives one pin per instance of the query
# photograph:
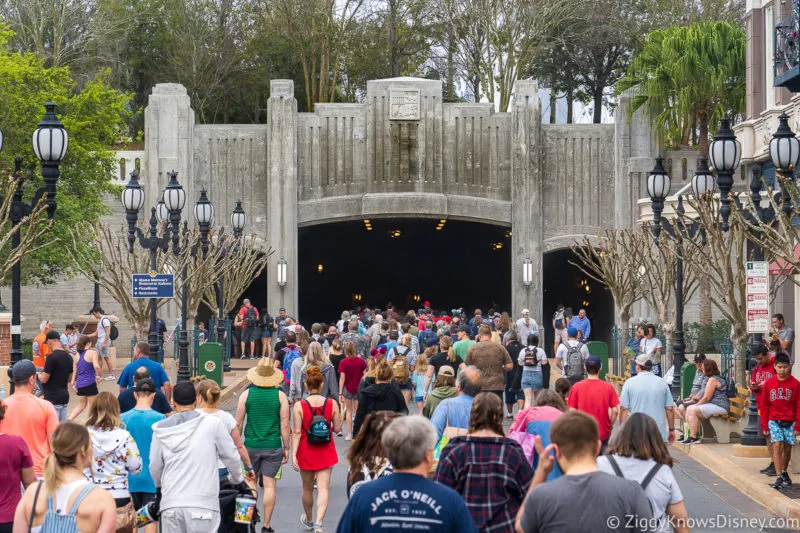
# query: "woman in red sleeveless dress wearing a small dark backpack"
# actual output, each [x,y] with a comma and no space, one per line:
[313,449]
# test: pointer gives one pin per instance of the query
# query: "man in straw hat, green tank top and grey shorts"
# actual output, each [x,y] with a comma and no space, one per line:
[266,410]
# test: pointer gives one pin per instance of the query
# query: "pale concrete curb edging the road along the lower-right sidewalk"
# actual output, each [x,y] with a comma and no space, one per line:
[761,493]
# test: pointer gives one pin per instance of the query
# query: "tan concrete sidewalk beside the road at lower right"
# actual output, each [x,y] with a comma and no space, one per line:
[743,473]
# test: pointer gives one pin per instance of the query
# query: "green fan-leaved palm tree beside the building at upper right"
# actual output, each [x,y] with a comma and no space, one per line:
[688,77]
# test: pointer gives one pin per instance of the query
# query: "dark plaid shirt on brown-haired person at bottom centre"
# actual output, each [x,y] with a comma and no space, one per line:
[491,474]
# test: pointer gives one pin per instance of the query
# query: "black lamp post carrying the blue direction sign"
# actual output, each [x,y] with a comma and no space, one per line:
[132,200]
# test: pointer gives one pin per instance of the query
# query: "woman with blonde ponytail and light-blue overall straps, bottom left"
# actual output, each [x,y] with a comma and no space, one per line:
[65,502]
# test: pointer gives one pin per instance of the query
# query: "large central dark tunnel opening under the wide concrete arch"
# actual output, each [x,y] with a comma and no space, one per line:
[406,262]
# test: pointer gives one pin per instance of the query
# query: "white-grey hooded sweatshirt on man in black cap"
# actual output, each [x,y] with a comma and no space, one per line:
[183,460]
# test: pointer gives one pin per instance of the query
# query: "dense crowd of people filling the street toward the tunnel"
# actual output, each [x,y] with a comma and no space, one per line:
[452,466]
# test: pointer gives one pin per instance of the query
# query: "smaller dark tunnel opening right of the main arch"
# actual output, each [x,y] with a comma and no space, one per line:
[564,283]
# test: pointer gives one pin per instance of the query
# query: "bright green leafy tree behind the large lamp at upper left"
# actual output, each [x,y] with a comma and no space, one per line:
[95,117]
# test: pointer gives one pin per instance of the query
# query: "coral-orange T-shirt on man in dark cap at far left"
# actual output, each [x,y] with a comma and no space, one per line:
[34,420]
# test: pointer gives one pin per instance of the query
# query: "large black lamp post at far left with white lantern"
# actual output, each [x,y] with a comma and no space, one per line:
[50,141]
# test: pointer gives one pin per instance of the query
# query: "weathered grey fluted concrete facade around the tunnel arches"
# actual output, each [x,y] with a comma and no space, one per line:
[401,153]
